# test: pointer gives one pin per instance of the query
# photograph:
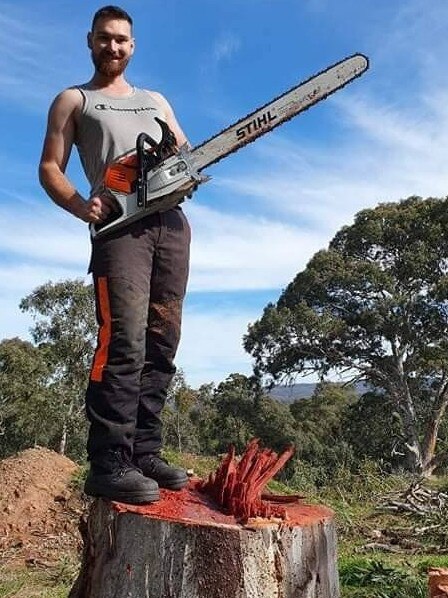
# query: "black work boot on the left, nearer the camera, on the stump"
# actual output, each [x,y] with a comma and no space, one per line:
[112,475]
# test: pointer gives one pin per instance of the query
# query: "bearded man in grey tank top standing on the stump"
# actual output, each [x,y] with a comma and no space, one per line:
[140,271]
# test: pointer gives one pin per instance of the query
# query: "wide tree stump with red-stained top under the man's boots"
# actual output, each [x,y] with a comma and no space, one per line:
[184,546]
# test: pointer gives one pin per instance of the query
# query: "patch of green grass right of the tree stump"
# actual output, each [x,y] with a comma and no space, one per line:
[376,573]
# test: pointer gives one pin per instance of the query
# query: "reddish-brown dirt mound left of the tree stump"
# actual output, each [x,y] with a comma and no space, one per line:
[39,507]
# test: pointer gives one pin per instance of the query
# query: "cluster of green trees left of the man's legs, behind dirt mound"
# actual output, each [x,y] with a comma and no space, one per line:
[42,385]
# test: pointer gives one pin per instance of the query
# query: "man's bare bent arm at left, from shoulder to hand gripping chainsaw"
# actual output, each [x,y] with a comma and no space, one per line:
[58,143]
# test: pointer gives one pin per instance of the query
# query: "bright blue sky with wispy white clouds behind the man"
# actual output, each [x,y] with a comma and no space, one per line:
[272,205]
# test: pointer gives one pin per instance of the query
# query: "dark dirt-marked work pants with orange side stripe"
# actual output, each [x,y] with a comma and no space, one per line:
[140,275]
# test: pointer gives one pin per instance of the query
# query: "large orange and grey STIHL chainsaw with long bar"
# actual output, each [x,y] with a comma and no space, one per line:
[157,176]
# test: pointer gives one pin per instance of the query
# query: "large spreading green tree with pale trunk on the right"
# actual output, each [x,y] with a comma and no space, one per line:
[373,304]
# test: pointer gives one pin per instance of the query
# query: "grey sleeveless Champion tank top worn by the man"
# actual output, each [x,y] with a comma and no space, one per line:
[108,128]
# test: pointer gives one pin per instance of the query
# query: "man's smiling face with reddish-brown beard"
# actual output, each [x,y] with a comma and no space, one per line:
[112,45]
